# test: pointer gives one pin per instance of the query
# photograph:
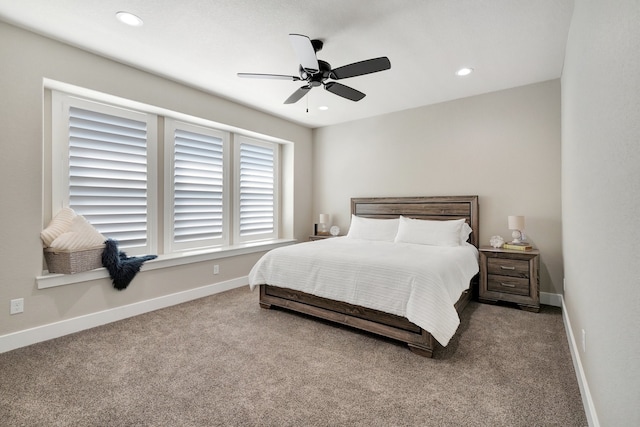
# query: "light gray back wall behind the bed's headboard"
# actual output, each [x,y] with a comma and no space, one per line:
[503,146]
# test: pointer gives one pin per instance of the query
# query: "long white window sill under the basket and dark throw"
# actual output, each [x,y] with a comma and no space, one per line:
[47,280]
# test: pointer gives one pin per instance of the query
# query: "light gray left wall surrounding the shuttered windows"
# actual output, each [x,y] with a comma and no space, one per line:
[26,60]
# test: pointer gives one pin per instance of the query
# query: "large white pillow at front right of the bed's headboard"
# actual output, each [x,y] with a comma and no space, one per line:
[429,232]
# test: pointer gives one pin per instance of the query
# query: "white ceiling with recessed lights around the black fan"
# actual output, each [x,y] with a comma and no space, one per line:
[204,43]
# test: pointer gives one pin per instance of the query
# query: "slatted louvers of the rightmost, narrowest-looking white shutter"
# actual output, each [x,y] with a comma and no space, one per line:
[257,195]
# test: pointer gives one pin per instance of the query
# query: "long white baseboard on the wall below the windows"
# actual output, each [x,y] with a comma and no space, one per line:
[57,329]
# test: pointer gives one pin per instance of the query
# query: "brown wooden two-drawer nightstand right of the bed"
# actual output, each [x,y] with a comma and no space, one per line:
[508,275]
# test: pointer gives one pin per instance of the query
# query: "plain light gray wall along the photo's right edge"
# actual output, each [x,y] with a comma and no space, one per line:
[601,201]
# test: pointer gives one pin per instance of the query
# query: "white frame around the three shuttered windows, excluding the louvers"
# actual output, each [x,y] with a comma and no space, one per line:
[58,95]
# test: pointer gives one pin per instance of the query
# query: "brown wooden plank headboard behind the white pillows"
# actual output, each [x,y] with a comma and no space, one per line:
[434,208]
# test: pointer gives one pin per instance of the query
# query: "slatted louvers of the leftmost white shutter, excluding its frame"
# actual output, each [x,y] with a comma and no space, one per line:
[108,174]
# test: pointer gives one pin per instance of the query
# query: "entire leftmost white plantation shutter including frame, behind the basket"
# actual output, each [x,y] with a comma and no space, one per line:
[104,151]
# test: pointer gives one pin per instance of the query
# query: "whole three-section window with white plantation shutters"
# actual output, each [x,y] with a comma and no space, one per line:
[217,188]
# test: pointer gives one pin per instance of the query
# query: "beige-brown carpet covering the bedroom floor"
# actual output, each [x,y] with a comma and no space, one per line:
[224,361]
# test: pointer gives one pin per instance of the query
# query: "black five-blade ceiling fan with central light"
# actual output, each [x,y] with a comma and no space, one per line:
[316,72]
